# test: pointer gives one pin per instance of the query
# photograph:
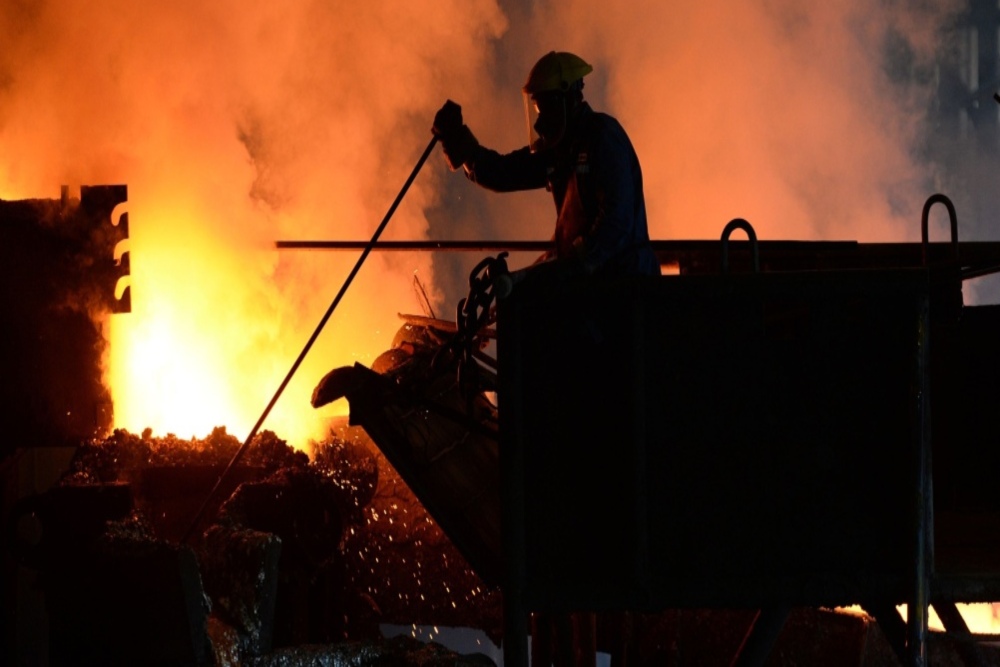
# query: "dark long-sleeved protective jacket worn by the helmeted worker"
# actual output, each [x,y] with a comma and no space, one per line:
[596,184]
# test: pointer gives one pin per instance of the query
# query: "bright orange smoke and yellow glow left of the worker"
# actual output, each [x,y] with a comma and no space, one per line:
[237,124]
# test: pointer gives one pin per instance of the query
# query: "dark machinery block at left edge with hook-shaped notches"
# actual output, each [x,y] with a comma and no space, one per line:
[60,273]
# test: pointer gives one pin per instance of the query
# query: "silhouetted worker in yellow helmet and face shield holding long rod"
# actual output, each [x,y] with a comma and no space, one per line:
[583,157]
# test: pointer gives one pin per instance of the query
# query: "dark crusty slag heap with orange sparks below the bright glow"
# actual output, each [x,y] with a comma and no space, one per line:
[297,553]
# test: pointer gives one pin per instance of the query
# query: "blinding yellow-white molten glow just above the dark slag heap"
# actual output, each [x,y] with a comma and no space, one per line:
[210,339]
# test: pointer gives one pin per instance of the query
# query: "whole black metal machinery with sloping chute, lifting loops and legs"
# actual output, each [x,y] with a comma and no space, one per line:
[781,424]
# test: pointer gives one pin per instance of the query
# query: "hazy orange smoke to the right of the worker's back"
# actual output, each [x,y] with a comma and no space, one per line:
[796,118]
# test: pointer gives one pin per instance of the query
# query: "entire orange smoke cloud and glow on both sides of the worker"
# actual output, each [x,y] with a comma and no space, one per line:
[237,124]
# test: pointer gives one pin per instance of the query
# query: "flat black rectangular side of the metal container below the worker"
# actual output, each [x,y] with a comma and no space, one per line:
[715,441]
